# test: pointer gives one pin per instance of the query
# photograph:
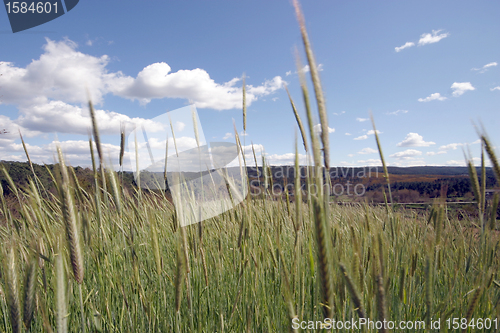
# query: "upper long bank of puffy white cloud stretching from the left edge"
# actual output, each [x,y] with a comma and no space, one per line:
[63,73]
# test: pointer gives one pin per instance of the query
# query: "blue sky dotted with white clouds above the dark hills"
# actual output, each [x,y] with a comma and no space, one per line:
[140,59]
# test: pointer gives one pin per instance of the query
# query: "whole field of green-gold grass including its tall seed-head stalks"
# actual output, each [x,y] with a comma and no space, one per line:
[113,261]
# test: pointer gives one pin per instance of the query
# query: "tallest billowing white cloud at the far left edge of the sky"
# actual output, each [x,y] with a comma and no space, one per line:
[60,73]
